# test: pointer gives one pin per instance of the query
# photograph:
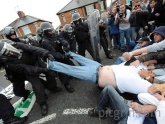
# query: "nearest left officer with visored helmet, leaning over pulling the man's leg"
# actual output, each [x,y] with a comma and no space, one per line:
[20,60]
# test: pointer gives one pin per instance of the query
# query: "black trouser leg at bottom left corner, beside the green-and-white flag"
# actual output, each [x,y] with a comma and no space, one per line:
[6,109]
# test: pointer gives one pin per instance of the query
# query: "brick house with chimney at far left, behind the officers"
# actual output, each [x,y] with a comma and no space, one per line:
[24,25]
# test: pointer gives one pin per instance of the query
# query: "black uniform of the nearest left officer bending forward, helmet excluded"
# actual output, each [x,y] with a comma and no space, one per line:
[28,67]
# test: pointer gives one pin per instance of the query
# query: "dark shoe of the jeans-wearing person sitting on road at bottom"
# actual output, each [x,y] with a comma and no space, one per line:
[95,113]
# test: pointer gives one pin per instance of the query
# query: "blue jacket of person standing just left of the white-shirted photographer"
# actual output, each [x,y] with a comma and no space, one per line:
[114,29]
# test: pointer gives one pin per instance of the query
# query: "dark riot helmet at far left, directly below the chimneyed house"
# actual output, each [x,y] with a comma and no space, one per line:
[8,32]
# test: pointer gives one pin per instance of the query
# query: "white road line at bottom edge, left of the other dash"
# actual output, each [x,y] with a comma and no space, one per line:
[45,119]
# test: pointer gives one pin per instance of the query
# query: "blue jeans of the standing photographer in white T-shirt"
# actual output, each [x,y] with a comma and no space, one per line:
[126,34]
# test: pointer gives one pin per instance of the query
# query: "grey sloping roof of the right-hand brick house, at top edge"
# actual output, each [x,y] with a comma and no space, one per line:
[76,4]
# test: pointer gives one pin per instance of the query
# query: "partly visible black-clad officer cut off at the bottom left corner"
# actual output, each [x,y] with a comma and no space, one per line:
[7,112]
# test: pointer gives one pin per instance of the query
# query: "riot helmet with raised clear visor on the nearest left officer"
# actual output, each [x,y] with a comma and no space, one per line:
[8,50]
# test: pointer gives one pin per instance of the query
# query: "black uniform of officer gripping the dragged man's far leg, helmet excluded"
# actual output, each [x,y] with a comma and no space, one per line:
[54,46]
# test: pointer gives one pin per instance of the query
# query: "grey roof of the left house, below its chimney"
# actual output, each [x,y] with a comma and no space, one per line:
[24,21]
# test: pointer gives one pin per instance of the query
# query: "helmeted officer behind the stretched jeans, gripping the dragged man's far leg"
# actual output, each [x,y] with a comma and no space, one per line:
[54,45]
